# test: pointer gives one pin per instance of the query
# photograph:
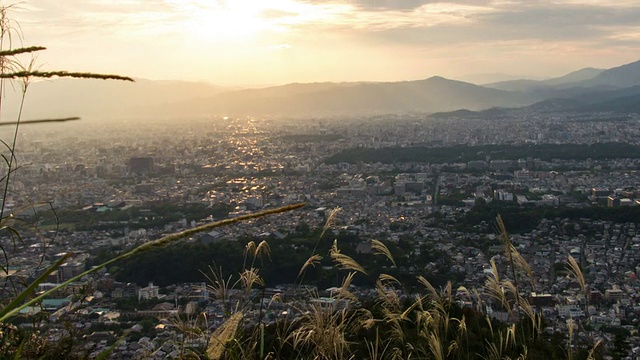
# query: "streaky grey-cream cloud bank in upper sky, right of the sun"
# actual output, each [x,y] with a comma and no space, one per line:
[442,24]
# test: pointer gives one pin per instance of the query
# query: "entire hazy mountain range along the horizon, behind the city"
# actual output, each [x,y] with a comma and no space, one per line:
[589,89]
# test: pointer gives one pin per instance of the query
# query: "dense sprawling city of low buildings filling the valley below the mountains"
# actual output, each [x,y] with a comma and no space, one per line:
[440,218]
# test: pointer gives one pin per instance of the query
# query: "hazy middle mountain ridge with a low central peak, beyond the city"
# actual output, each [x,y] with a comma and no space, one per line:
[433,94]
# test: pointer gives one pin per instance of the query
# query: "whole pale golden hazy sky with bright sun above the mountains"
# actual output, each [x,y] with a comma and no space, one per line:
[257,42]
